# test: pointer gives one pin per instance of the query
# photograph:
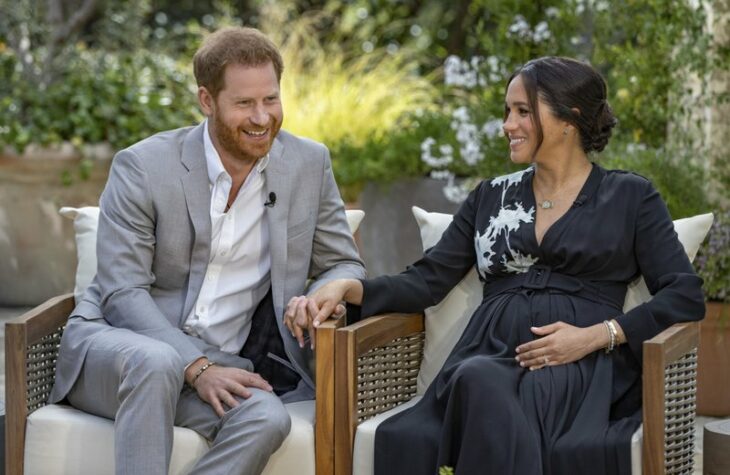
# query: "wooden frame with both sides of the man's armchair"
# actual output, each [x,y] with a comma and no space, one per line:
[31,346]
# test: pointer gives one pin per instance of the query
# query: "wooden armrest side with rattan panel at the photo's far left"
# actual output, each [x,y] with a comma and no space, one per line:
[31,346]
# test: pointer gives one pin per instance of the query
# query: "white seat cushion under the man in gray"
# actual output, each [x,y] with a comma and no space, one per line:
[61,440]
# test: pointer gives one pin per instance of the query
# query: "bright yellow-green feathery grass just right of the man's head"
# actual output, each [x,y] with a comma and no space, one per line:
[333,97]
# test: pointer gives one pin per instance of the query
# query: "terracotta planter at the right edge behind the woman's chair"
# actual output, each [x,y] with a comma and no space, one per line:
[713,374]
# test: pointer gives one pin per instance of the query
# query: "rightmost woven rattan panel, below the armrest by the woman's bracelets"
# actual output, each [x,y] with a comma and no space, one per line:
[680,394]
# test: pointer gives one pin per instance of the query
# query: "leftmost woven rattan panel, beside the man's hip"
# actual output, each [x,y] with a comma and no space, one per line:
[40,369]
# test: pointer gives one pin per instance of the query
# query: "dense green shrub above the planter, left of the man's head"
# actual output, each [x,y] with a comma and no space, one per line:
[118,98]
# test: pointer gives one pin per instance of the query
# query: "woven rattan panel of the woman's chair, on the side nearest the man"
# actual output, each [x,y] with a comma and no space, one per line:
[386,375]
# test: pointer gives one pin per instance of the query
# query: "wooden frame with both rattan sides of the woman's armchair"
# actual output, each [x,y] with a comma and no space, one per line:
[378,361]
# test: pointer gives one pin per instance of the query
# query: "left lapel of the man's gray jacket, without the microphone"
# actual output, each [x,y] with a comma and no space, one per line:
[196,188]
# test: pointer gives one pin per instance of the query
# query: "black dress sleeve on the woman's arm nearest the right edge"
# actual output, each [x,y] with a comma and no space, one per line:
[669,275]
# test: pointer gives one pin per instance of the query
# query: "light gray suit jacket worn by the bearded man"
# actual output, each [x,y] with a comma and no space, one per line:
[153,245]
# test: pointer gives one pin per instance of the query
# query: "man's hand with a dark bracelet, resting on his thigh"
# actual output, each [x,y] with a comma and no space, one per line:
[219,385]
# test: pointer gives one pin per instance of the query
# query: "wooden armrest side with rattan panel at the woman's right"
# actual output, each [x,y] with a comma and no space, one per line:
[669,392]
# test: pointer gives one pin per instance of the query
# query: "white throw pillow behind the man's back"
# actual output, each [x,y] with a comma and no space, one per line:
[86,220]
